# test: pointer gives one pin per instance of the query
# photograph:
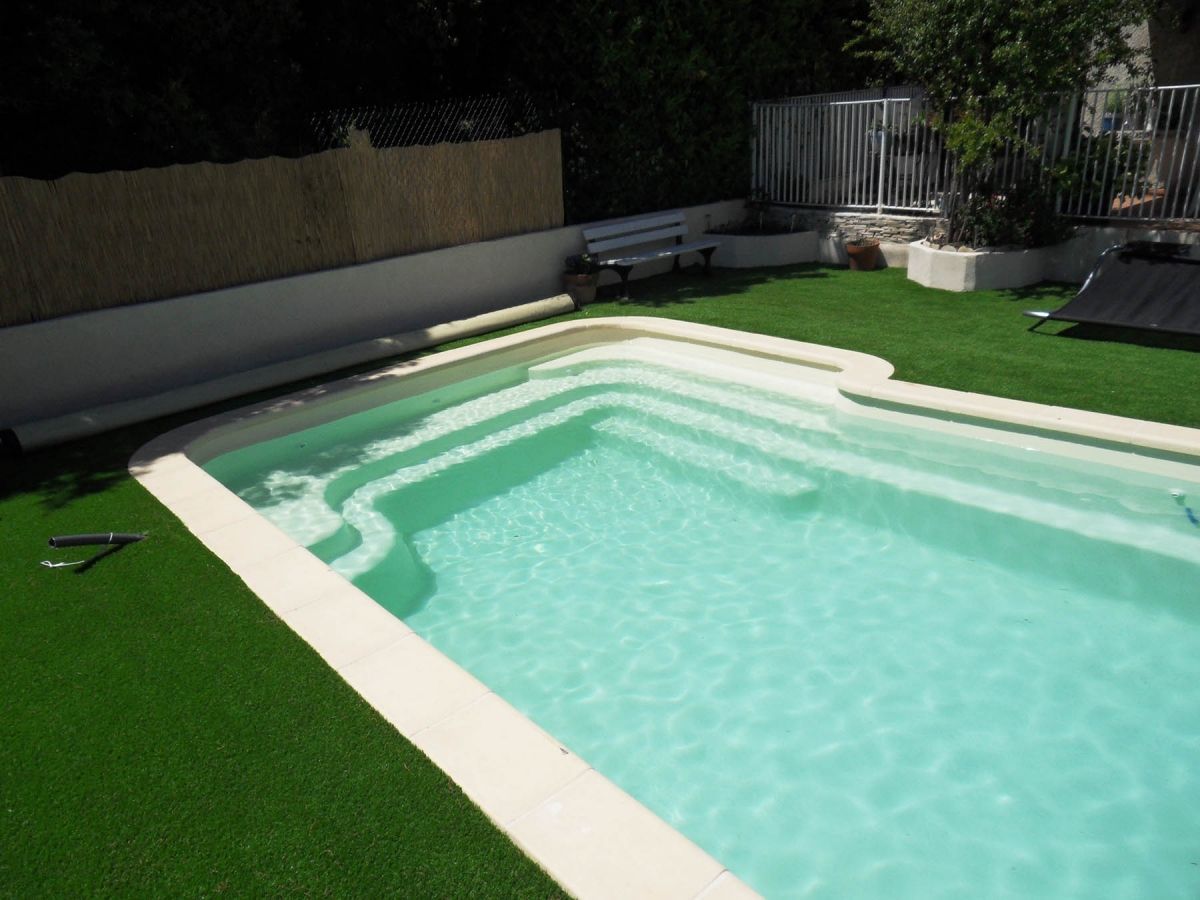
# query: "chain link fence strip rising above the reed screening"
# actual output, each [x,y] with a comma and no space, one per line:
[430,123]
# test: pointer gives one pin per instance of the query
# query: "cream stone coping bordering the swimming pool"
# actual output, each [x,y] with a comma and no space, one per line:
[587,833]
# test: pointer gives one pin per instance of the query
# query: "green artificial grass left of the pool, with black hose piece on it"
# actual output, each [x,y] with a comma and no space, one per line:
[165,735]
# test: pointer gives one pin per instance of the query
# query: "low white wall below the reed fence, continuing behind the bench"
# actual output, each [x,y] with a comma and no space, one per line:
[74,364]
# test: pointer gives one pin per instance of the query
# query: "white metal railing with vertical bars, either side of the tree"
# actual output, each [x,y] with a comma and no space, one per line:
[1121,153]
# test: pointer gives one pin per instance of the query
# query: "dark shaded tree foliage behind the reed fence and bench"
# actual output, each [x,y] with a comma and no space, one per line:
[652,98]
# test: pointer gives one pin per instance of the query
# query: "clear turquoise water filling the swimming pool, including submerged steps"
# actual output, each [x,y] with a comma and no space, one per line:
[847,657]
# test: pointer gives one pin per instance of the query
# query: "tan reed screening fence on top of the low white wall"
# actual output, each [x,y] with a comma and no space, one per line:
[91,242]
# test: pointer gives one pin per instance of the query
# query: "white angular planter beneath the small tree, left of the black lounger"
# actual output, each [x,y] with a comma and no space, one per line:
[979,271]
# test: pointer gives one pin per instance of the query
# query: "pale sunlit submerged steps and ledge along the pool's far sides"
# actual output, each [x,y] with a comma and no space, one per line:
[701,424]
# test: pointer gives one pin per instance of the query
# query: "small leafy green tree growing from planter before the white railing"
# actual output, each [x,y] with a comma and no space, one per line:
[992,65]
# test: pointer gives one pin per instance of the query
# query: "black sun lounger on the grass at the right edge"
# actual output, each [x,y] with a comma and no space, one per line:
[1145,286]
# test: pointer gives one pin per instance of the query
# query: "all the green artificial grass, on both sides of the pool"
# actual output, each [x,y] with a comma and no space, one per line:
[165,734]
